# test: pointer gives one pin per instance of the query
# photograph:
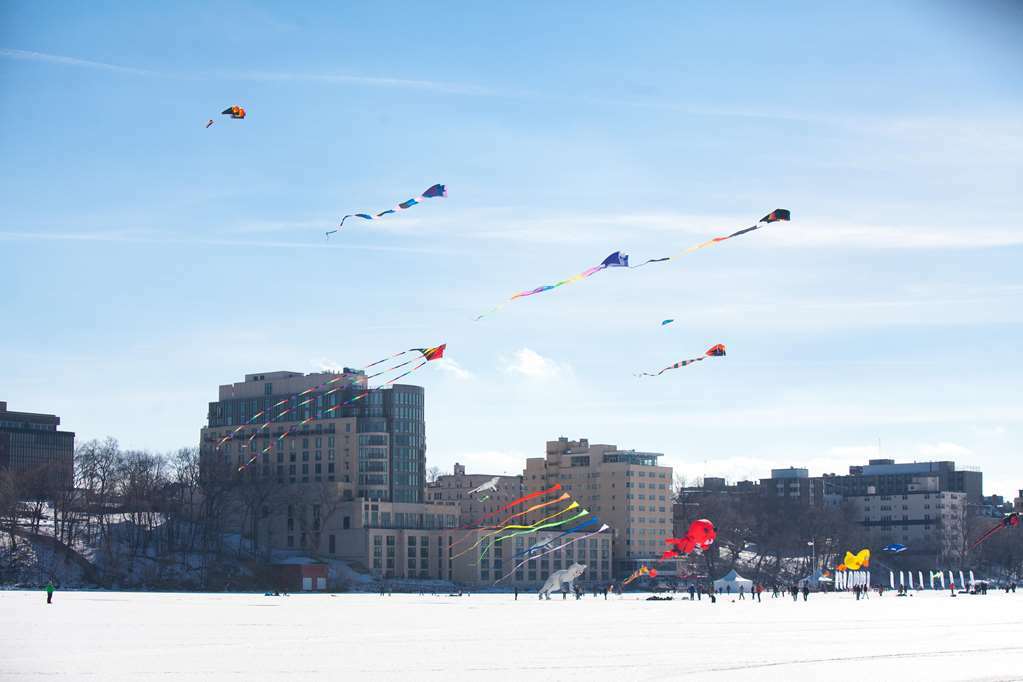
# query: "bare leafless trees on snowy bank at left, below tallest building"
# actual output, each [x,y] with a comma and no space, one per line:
[146,518]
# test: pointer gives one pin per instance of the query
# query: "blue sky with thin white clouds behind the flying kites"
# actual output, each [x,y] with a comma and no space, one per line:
[146,260]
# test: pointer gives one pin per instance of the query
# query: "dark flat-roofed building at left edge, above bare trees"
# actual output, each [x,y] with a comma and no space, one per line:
[32,442]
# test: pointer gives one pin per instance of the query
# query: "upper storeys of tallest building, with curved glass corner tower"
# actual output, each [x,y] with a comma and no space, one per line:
[321,428]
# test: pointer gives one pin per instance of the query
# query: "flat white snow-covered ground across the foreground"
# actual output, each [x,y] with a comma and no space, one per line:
[143,636]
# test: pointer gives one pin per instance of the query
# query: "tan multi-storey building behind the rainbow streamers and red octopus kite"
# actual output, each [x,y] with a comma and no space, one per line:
[626,489]
